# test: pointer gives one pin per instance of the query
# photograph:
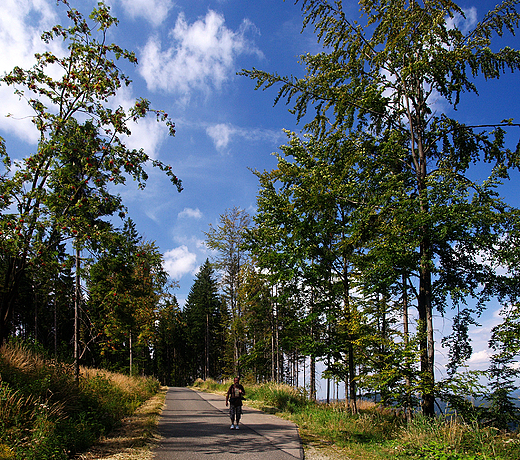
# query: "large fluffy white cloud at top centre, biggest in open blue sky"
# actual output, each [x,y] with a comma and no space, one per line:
[200,56]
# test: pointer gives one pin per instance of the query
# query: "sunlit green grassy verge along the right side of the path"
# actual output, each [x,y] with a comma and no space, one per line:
[376,433]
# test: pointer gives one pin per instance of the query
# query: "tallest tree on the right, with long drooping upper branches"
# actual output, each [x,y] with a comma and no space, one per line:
[378,80]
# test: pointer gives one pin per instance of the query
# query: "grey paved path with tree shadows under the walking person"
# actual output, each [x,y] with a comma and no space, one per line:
[195,425]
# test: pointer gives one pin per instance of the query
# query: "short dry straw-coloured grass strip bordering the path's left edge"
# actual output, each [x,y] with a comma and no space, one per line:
[136,436]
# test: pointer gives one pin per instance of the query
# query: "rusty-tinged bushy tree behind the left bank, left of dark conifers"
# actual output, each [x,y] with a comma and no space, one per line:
[125,285]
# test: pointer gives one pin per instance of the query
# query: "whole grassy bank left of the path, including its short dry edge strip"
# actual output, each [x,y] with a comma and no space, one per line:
[41,404]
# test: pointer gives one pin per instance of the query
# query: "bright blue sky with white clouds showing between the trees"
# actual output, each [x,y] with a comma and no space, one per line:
[189,52]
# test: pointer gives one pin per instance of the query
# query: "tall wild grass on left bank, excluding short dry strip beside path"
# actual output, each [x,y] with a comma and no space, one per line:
[46,415]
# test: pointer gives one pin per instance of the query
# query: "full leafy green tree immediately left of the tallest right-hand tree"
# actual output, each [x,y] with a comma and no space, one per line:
[316,205]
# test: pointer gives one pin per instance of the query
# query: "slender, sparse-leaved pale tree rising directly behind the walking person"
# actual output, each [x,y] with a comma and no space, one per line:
[227,240]
